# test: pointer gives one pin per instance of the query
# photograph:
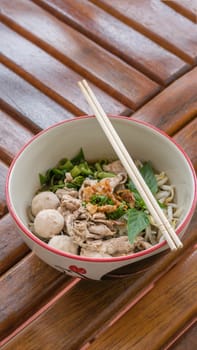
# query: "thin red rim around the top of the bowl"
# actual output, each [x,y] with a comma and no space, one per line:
[144,253]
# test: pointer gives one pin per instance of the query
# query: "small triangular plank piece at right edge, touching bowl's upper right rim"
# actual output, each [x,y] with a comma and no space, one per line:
[184,137]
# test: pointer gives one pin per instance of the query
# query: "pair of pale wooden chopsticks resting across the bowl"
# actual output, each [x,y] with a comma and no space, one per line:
[133,172]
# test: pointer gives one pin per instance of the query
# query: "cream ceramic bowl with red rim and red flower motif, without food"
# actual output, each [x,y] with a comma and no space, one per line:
[64,139]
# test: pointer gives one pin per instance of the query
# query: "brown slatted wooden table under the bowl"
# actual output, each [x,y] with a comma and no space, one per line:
[140,57]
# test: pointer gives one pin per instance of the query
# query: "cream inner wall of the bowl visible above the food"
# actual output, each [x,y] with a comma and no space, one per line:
[65,140]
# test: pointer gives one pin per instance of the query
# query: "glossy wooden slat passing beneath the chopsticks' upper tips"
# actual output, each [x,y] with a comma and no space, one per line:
[48,74]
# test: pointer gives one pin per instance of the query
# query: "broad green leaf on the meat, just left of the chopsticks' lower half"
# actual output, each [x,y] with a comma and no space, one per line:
[137,222]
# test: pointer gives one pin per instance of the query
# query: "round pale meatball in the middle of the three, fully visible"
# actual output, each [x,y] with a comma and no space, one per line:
[48,223]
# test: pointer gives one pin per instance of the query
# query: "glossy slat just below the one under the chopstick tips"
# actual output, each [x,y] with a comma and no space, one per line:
[28,104]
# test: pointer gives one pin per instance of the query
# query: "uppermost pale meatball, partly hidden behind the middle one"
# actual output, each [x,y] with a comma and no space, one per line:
[44,200]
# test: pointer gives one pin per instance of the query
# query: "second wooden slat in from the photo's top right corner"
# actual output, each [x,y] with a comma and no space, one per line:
[159,22]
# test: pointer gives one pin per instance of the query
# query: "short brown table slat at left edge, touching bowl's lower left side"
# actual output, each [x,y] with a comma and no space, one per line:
[12,247]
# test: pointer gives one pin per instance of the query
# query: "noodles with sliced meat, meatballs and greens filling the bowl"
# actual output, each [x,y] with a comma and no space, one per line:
[93,209]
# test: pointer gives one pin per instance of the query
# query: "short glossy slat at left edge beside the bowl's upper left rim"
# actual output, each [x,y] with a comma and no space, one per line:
[12,135]
